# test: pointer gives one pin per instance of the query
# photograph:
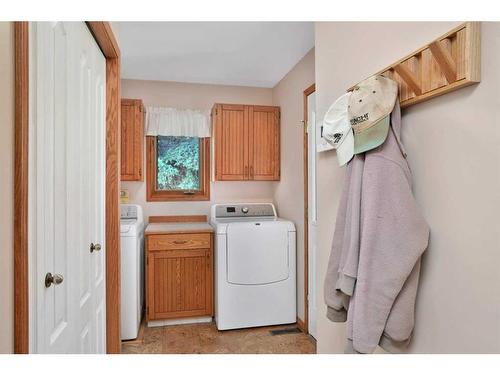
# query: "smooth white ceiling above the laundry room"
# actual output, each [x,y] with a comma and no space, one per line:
[255,54]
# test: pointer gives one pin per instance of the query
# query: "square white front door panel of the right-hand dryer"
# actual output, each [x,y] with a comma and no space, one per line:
[257,252]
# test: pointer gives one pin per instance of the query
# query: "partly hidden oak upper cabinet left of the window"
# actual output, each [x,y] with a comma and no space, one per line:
[132,140]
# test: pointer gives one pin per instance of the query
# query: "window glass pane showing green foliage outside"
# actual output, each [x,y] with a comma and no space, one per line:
[178,163]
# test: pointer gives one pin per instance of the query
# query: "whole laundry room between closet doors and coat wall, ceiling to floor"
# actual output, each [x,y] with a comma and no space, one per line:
[212,187]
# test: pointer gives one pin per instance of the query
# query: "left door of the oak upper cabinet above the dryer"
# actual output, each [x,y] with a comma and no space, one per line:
[231,146]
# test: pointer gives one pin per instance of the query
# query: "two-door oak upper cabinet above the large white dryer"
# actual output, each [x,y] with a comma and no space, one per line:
[247,142]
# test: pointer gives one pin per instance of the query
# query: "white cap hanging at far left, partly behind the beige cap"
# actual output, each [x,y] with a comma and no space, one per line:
[337,129]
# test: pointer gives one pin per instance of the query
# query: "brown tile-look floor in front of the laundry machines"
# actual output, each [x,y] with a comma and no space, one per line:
[205,339]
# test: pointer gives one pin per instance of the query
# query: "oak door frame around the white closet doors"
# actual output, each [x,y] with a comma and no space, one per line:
[106,41]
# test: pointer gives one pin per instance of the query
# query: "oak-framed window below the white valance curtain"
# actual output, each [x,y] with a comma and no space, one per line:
[178,168]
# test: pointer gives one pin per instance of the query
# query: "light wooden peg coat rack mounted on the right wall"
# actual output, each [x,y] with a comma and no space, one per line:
[448,63]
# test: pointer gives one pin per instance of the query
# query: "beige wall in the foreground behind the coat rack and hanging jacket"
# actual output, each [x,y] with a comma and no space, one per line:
[453,147]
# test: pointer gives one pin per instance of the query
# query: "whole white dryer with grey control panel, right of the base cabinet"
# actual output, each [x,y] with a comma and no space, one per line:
[255,276]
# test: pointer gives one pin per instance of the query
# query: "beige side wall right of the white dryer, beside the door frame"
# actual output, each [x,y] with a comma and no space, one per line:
[289,192]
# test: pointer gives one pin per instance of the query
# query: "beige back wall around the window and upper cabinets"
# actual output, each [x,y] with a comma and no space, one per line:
[197,96]
